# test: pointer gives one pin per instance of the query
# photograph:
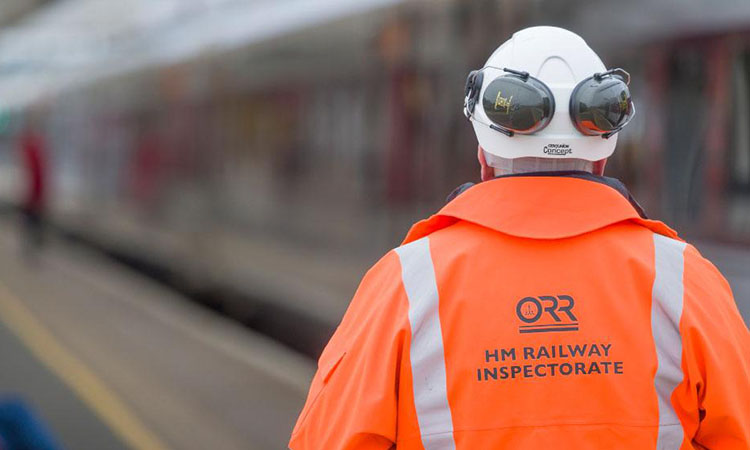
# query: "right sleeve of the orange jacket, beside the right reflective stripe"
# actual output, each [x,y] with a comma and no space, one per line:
[716,360]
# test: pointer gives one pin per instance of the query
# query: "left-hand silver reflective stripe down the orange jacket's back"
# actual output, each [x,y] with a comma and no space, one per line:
[427,357]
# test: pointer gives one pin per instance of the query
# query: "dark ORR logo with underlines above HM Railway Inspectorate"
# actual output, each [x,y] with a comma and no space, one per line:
[546,313]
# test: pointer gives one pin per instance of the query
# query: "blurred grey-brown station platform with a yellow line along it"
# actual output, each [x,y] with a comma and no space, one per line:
[109,359]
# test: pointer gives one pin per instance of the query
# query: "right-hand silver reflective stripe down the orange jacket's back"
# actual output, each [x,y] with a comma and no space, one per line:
[666,311]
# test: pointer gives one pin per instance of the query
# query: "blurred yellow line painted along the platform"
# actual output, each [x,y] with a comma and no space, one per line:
[79,378]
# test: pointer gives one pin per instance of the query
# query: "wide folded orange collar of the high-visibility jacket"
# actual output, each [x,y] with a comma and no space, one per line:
[541,206]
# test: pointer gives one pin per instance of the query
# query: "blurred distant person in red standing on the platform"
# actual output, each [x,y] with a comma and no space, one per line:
[35,166]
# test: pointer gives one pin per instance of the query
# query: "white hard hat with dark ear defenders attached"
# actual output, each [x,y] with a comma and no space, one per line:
[535,75]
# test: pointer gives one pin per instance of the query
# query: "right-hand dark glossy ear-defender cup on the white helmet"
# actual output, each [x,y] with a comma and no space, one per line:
[601,106]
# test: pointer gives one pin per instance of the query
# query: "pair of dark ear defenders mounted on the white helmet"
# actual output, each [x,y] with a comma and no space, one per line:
[517,103]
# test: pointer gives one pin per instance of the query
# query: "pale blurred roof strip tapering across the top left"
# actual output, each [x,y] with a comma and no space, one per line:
[66,43]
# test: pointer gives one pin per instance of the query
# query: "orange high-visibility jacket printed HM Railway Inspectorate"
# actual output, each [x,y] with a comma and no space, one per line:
[537,313]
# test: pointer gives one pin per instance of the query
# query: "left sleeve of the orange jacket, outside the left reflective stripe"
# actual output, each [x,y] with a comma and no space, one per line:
[352,403]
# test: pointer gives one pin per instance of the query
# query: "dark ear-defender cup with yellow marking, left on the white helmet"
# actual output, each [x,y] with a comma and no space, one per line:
[519,105]
